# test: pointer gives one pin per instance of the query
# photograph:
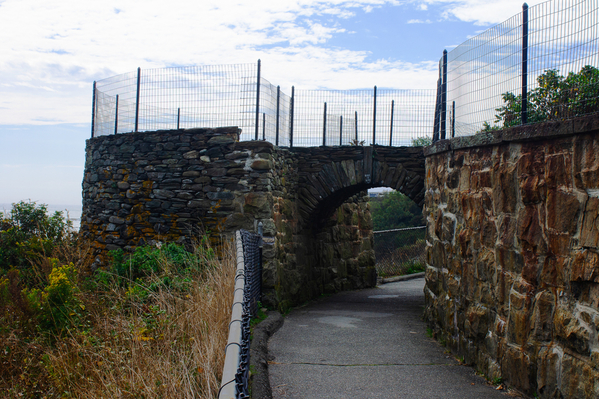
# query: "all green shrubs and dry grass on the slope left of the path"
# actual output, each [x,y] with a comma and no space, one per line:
[152,324]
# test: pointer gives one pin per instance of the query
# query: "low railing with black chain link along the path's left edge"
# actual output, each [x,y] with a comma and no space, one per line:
[248,288]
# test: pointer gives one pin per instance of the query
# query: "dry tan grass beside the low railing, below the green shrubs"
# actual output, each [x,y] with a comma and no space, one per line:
[170,345]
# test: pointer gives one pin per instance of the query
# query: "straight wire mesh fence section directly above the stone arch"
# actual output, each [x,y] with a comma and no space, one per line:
[390,117]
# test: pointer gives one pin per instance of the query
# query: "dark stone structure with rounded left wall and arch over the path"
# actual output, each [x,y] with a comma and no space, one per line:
[139,188]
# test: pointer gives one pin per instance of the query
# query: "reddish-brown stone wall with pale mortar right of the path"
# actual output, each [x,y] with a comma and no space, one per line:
[512,280]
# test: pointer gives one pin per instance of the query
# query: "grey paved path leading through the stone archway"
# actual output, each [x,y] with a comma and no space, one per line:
[367,344]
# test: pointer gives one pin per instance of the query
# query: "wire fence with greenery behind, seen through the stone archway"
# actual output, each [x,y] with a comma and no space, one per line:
[400,251]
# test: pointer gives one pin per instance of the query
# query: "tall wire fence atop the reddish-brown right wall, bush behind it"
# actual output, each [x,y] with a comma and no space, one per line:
[528,69]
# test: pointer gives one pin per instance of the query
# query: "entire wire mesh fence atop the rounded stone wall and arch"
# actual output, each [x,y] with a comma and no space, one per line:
[229,95]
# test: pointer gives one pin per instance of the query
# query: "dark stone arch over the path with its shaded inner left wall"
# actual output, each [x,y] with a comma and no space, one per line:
[333,235]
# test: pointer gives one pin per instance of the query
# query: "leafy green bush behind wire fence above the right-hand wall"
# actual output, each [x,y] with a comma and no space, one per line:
[556,97]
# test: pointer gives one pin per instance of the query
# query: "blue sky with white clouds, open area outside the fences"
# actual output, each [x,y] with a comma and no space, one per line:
[53,50]
